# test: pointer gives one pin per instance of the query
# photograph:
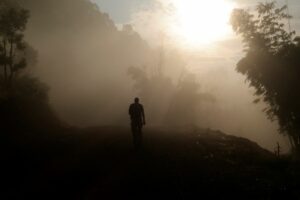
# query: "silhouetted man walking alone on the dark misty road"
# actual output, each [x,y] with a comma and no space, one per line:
[137,116]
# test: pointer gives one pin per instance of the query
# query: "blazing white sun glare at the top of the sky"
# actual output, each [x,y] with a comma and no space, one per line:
[200,22]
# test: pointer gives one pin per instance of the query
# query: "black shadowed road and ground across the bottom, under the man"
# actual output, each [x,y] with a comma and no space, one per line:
[100,163]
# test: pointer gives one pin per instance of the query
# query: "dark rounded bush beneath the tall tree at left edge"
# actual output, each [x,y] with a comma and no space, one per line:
[24,108]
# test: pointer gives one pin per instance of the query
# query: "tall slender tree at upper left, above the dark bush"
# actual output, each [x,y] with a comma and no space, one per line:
[12,46]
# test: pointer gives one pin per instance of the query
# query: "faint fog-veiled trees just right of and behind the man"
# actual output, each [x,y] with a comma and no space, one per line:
[169,103]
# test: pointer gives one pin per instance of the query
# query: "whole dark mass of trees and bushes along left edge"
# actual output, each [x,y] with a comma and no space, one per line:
[23,98]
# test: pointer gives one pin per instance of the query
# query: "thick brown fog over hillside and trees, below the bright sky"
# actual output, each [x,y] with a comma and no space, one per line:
[94,69]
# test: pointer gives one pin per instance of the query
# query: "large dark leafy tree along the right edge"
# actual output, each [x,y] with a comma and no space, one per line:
[272,64]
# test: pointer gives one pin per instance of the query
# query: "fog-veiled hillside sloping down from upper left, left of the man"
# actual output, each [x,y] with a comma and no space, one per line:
[82,49]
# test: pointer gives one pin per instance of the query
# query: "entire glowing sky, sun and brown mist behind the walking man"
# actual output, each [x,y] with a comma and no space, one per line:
[93,48]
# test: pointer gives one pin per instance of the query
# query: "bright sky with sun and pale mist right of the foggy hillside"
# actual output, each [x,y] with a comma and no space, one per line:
[199,31]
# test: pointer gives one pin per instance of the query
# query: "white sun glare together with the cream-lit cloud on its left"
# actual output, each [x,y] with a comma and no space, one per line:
[185,24]
